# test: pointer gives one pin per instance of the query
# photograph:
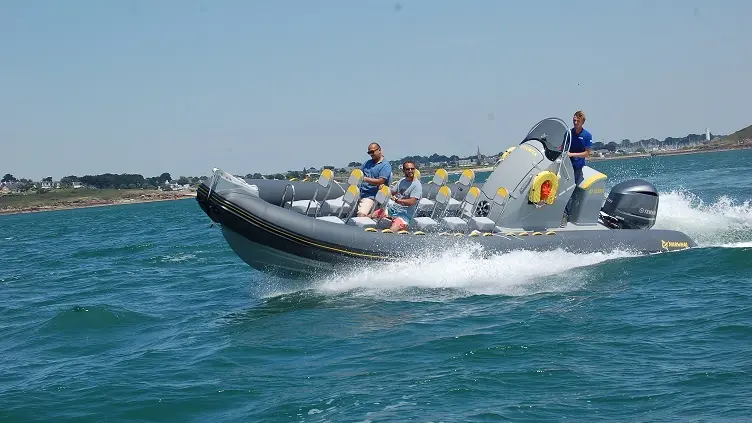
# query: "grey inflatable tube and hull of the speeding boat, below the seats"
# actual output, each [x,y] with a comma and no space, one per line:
[283,242]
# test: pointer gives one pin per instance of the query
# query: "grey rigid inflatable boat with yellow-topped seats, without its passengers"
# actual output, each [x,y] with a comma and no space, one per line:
[296,228]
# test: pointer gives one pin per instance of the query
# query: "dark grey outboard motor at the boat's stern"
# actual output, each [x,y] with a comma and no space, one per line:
[631,204]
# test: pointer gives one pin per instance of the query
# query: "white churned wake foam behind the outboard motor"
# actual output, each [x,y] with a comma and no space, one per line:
[723,223]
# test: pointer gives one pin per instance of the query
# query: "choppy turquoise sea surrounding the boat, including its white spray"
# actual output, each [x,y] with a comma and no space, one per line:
[142,313]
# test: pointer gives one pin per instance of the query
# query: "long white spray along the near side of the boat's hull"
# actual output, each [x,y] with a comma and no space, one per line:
[466,273]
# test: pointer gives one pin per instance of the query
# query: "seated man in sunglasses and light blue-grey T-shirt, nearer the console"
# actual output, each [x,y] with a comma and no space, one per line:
[404,199]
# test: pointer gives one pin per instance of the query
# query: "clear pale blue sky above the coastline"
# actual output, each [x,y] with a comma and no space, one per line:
[183,86]
